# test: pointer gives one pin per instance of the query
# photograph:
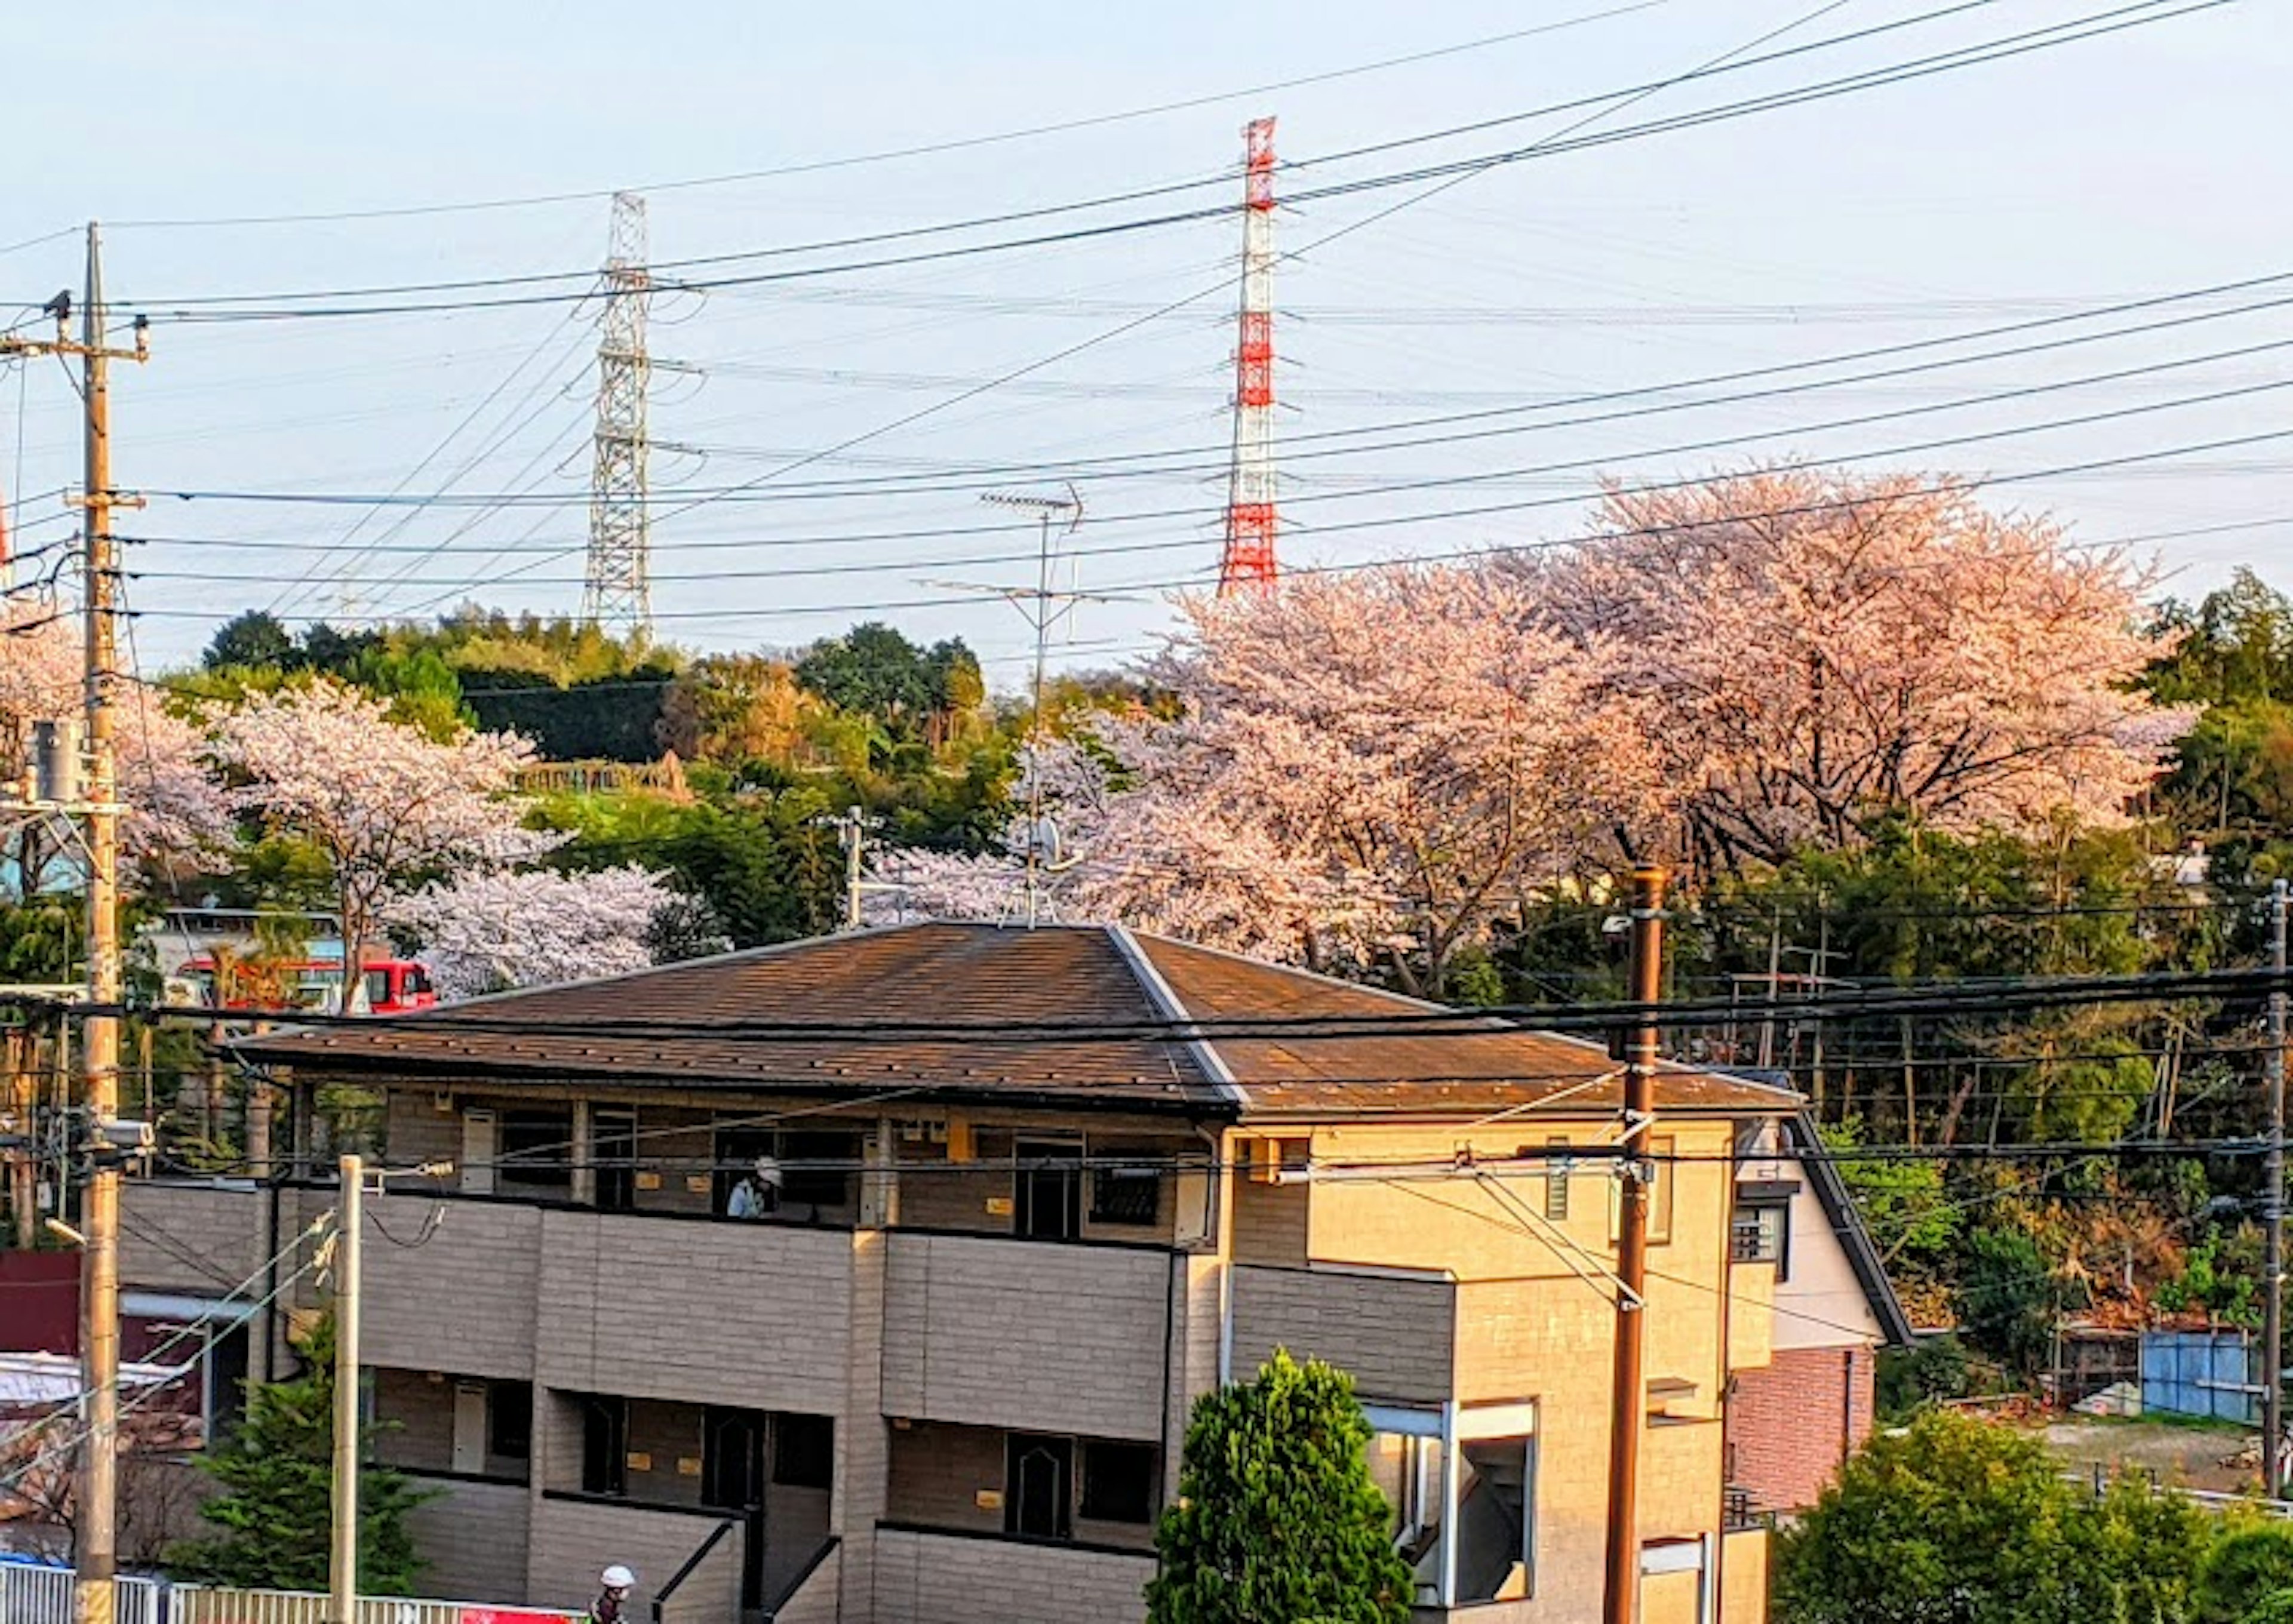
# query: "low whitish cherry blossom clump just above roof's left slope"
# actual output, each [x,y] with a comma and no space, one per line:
[492,932]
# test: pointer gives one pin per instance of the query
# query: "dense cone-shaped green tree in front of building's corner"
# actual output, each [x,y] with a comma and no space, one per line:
[1278,1520]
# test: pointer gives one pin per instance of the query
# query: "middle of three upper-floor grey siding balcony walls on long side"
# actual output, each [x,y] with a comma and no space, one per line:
[751,1315]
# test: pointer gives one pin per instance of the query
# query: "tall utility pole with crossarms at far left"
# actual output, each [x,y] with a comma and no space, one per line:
[95,1533]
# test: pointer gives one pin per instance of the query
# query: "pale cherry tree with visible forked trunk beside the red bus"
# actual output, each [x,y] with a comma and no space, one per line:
[384,804]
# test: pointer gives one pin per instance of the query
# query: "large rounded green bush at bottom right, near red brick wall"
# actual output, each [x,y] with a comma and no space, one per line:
[1969,1522]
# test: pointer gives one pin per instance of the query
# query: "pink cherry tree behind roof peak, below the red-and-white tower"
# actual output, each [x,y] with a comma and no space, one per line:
[1368,767]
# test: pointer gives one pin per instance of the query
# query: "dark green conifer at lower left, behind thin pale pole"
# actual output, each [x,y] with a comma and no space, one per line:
[274,1501]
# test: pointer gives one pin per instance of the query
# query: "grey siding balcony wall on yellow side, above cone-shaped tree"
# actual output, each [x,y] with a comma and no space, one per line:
[1398,1338]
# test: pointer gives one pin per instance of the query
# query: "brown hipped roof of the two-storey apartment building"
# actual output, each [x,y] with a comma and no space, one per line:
[1081,1013]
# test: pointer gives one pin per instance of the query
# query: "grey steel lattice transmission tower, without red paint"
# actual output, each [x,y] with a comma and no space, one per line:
[618,591]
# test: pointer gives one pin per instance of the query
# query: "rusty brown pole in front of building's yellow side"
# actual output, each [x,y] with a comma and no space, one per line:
[1629,1384]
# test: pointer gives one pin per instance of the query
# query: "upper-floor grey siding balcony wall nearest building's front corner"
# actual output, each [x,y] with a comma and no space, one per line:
[1019,1334]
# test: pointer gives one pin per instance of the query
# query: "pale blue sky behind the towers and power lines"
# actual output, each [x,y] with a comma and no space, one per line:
[827,423]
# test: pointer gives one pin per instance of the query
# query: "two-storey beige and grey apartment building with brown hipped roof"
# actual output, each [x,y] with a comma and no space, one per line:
[852,1281]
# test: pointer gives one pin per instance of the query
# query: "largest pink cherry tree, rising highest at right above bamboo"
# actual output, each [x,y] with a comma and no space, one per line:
[1817,650]
